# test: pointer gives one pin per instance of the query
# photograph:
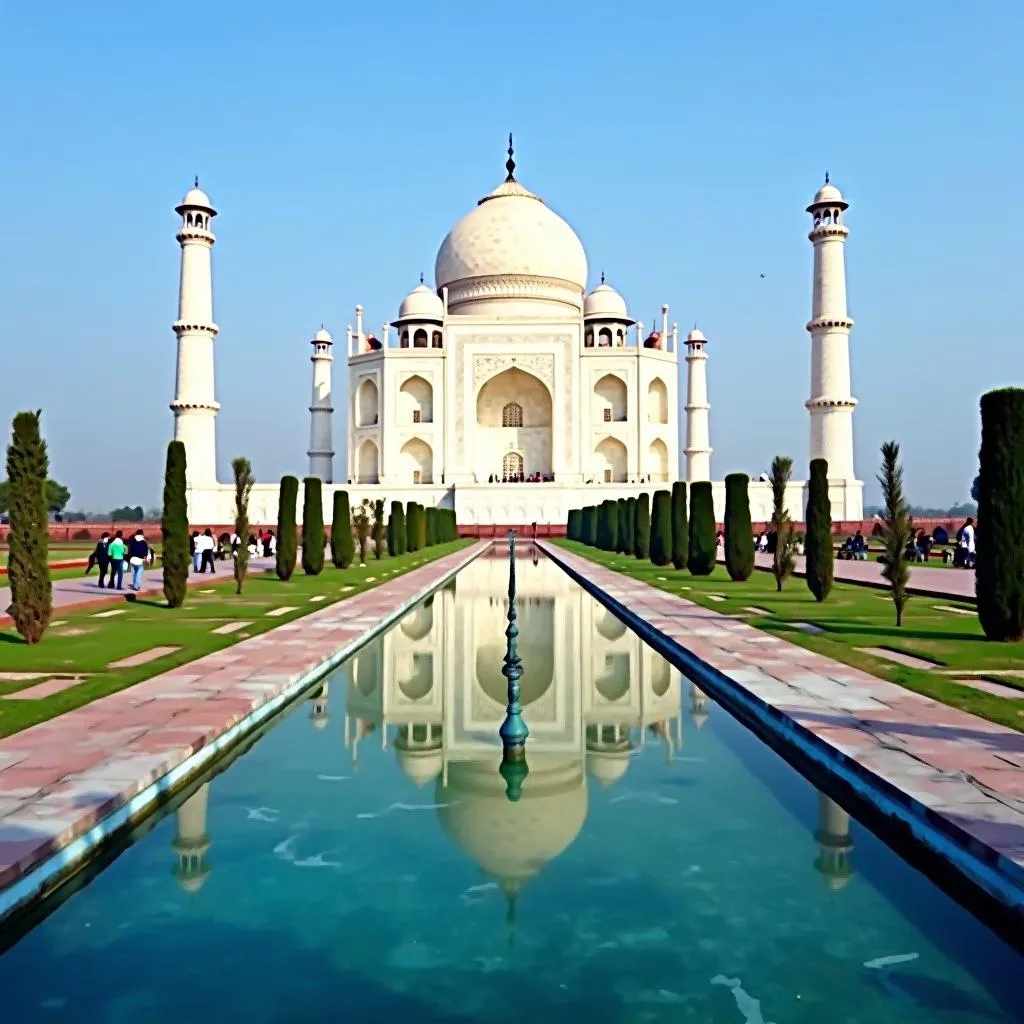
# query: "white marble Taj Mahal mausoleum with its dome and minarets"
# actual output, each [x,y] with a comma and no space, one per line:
[508,392]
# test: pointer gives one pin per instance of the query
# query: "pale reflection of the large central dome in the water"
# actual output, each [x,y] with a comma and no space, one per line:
[511,842]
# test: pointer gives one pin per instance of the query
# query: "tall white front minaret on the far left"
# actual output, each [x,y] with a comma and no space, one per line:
[195,407]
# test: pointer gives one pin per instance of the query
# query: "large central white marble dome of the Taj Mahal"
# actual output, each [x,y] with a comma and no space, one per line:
[511,249]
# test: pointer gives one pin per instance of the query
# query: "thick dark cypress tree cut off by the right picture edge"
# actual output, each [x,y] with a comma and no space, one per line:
[1000,542]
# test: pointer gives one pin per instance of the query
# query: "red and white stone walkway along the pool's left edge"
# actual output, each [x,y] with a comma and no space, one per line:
[60,779]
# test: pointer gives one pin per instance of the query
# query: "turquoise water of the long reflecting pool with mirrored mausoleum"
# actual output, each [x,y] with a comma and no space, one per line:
[361,861]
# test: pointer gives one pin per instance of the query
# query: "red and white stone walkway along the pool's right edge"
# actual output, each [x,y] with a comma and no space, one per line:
[964,772]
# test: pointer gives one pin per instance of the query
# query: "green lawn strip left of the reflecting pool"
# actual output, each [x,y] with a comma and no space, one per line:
[87,645]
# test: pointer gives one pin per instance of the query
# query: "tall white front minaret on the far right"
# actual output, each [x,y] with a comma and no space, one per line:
[831,404]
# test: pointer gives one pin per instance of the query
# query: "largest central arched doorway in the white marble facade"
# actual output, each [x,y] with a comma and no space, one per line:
[514,415]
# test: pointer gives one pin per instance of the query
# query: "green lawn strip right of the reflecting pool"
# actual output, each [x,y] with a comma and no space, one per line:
[857,617]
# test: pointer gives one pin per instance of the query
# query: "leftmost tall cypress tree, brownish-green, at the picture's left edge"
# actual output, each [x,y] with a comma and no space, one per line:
[28,565]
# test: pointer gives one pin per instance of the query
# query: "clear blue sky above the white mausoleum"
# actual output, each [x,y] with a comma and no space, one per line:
[342,143]
